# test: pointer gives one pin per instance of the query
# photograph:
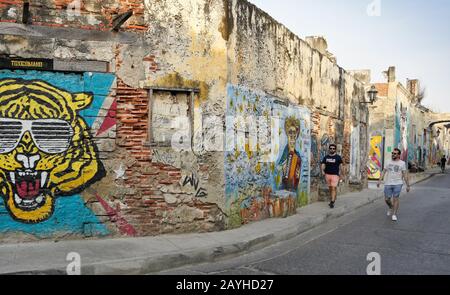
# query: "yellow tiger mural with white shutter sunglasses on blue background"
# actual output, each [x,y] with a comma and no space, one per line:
[47,151]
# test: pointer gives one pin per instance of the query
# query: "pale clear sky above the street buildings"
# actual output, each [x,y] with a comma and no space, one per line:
[412,35]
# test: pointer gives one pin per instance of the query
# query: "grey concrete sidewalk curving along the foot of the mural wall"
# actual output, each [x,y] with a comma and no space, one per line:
[152,254]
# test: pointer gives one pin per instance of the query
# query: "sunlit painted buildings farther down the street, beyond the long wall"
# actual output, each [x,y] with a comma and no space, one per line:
[398,120]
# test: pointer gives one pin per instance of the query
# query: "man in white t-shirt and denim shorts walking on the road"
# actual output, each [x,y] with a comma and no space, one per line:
[395,173]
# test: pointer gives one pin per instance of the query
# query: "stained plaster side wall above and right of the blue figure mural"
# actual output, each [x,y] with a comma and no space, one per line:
[265,56]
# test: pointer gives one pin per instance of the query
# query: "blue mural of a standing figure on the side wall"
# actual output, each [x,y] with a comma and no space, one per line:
[259,186]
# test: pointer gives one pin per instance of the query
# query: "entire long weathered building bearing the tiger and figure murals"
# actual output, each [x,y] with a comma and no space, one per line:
[136,118]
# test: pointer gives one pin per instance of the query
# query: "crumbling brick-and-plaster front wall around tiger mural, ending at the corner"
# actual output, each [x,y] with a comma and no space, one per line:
[147,189]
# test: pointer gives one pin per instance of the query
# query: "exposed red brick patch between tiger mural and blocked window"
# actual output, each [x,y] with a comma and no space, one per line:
[148,211]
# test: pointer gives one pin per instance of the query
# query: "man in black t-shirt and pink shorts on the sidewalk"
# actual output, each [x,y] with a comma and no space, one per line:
[331,169]
